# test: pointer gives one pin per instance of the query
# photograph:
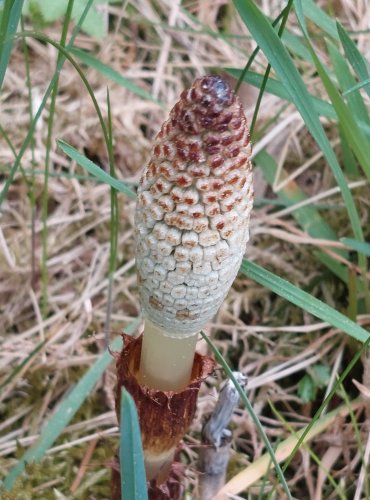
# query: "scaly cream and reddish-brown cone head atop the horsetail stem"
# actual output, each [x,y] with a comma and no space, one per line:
[194,203]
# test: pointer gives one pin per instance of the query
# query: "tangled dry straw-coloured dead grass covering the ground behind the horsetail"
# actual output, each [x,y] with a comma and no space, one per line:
[271,342]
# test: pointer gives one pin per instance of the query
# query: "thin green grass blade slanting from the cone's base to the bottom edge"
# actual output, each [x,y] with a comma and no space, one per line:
[248,406]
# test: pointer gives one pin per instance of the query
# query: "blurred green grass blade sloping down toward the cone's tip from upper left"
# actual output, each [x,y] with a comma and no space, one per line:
[113,75]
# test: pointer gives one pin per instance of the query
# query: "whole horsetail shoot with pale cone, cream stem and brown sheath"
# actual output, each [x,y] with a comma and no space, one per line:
[192,224]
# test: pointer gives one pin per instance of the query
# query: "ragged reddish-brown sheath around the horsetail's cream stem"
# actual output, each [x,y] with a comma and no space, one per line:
[164,416]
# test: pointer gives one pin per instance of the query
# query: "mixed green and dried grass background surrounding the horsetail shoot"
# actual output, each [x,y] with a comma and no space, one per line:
[100,77]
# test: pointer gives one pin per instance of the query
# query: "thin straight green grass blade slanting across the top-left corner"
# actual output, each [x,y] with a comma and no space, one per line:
[30,134]
